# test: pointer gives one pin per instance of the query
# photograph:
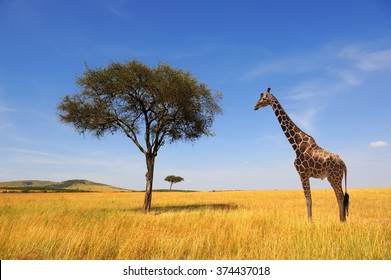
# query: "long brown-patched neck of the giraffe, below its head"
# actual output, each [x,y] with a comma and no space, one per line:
[296,137]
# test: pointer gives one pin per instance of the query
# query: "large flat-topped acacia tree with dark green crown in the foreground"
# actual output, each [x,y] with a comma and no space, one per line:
[150,106]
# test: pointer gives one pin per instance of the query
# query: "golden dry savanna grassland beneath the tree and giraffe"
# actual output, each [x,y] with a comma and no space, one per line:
[197,225]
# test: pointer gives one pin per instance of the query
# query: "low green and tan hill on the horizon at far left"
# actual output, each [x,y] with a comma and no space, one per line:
[65,186]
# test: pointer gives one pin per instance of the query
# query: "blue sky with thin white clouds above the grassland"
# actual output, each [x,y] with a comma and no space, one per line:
[328,63]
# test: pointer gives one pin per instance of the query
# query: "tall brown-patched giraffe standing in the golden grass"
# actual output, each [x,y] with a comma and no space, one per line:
[311,160]
